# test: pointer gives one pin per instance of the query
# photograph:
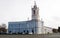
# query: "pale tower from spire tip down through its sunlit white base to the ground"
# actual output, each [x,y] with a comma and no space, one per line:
[35,17]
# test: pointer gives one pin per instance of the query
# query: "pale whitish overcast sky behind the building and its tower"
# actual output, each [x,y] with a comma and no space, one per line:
[20,10]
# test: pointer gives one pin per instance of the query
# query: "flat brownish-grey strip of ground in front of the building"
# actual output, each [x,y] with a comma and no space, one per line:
[31,36]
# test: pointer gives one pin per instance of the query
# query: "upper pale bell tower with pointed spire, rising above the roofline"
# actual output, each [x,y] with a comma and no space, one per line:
[35,12]
